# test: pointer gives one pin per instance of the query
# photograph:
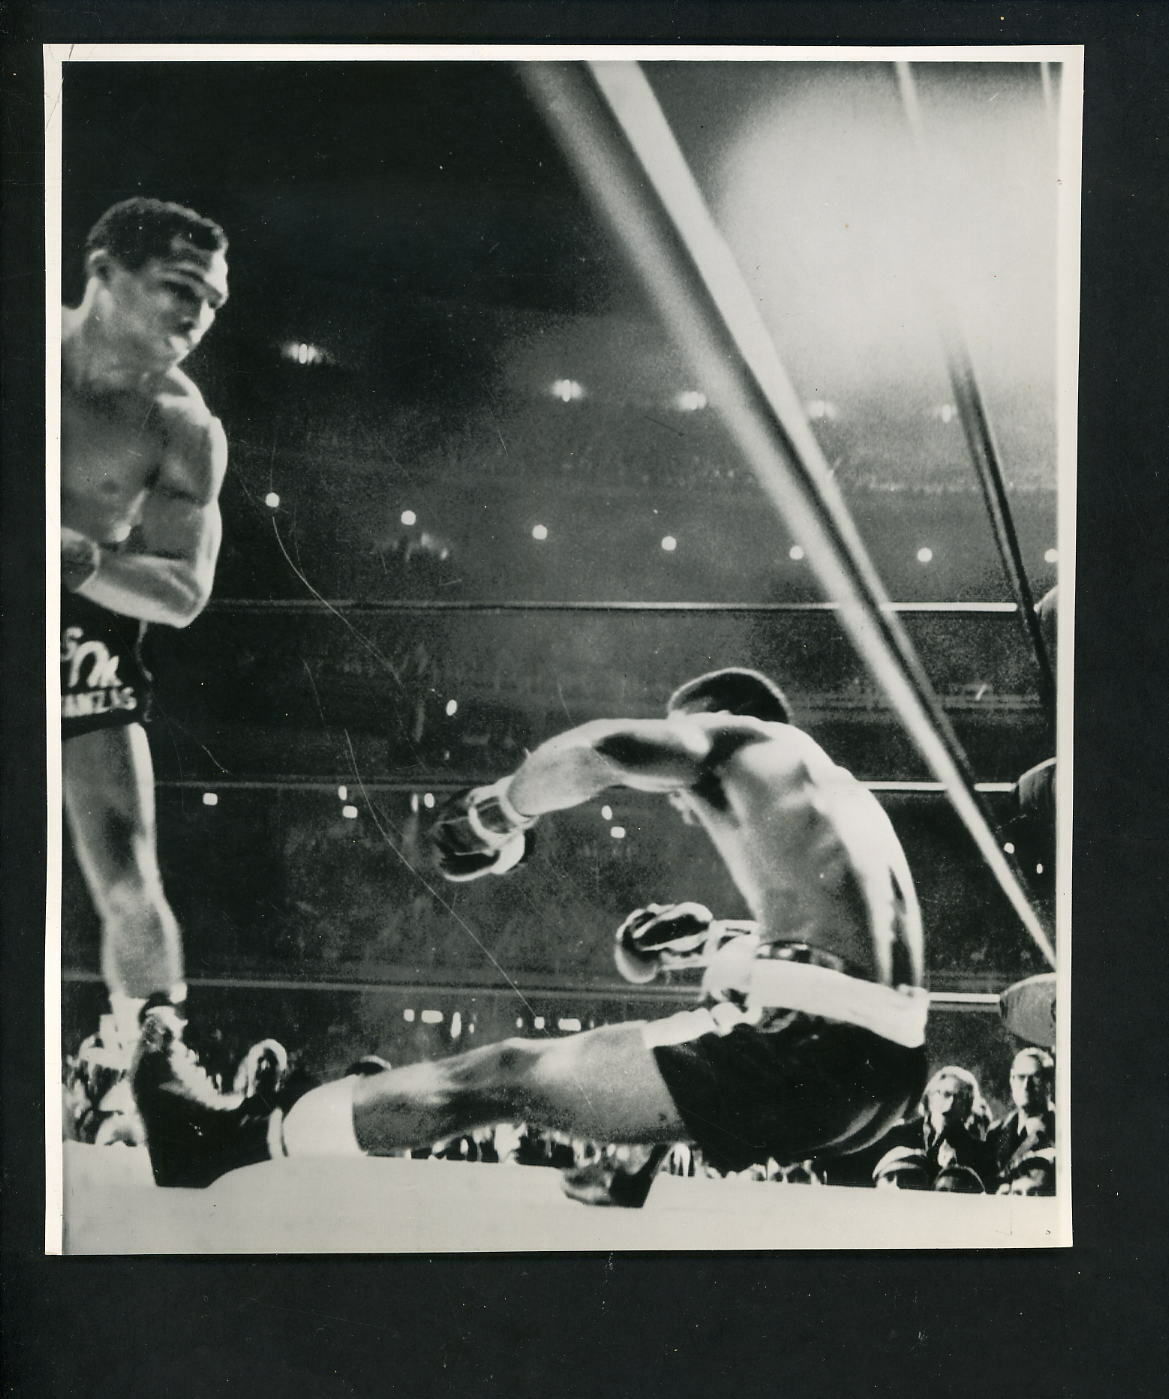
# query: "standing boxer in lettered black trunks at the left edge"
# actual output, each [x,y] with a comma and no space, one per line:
[142,465]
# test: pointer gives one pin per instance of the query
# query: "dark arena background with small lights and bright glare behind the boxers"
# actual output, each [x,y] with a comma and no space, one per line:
[476,496]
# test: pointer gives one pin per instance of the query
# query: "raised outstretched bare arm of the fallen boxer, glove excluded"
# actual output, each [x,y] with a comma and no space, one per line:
[650,756]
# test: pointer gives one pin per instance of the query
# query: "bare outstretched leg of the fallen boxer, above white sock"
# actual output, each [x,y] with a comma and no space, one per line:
[602,1085]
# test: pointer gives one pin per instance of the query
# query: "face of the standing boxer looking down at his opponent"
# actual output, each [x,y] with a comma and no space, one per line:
[166,307]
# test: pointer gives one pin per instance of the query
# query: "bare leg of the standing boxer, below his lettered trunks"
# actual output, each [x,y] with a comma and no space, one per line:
[110,802]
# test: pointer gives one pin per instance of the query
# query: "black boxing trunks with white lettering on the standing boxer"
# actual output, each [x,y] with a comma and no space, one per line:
[104,682]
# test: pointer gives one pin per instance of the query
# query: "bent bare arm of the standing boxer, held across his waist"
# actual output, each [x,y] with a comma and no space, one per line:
[168,573]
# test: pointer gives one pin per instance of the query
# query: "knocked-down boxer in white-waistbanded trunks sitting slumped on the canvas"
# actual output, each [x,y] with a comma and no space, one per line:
[812,1040]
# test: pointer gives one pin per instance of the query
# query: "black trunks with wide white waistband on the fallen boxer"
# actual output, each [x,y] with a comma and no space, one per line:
[794,1084]
